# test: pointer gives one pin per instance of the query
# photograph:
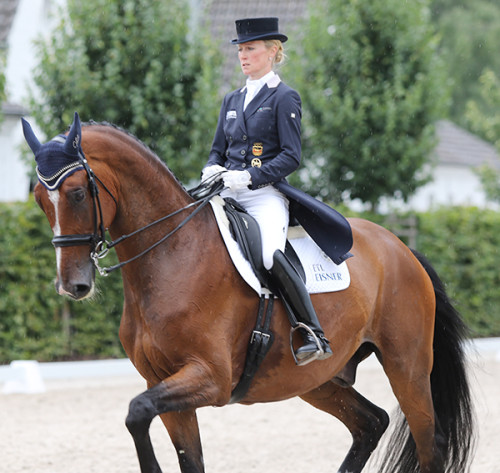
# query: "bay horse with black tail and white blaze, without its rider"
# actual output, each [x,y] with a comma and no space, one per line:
[188,315]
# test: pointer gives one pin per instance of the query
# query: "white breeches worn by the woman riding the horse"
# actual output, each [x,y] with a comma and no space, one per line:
[270,208]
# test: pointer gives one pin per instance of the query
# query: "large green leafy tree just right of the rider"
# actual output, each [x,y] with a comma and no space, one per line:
[372,87]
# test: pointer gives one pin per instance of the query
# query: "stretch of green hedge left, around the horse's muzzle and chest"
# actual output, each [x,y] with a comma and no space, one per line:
[35,322]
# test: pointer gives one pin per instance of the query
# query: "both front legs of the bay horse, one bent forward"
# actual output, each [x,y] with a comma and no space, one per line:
[176,397]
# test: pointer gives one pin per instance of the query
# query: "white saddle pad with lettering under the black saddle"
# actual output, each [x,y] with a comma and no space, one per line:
[322,274]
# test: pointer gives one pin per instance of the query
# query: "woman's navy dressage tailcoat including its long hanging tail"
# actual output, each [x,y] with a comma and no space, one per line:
[265,141]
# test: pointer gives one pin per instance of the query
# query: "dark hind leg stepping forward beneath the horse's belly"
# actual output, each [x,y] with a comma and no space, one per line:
[365,421]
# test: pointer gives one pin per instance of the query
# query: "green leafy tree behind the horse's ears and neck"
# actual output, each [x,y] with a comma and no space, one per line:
[140,64]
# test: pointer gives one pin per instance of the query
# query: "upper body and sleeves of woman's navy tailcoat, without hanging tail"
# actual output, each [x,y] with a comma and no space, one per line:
[265,138]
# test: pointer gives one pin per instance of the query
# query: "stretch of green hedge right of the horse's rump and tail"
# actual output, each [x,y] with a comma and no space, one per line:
[463,245]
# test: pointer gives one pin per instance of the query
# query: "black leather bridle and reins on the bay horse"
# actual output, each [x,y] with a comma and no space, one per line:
[99,246]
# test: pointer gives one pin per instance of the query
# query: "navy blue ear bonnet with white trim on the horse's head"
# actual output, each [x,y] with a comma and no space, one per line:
[58,158]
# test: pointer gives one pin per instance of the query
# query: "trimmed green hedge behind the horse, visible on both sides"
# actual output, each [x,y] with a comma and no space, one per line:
[463,244]
